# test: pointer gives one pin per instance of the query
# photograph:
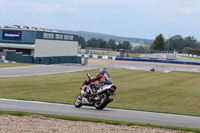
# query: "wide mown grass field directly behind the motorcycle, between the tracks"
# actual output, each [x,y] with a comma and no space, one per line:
[175,92]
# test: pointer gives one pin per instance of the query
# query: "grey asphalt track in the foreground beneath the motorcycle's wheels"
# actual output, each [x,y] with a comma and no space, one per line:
[107,113]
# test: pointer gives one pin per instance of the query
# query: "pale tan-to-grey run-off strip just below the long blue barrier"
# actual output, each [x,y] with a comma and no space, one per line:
[144,66]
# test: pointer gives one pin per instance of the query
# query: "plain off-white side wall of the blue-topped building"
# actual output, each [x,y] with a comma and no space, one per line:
[46,48]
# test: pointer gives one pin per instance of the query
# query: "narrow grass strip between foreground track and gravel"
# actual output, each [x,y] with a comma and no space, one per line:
[112,122]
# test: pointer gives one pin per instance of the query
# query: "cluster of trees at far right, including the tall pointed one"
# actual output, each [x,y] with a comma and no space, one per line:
[188,45]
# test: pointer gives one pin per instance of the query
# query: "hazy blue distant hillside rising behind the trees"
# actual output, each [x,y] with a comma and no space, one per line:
[89,35]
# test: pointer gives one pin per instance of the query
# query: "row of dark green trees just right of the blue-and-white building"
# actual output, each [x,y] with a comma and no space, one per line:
[100,43]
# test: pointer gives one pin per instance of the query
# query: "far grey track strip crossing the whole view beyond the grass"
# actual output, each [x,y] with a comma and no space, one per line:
[94,64]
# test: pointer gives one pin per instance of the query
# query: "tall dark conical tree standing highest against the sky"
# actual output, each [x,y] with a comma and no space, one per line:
[158,43]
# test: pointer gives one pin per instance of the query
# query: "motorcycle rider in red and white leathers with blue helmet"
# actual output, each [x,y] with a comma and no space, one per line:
[103,78]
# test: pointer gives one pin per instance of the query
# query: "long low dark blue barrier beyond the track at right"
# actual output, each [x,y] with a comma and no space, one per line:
[156,60]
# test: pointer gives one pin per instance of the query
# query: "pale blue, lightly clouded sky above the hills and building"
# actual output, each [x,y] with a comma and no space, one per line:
[127,18]
